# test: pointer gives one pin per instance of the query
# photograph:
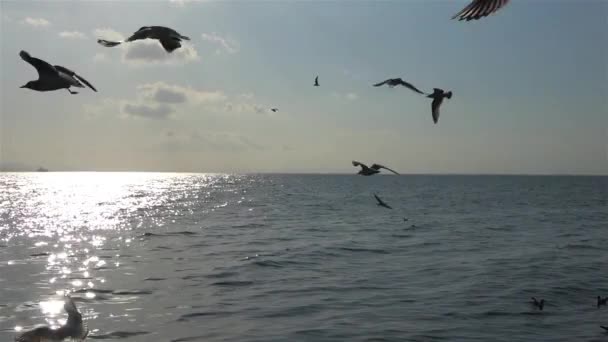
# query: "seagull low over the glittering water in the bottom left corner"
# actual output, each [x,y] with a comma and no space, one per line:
[74,328]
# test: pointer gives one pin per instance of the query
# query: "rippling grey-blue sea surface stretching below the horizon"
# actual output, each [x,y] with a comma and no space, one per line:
[211,257]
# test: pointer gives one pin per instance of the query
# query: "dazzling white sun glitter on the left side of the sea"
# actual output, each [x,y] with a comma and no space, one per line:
[70,221]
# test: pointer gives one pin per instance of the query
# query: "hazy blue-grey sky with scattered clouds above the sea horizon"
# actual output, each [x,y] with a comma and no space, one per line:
[530,87]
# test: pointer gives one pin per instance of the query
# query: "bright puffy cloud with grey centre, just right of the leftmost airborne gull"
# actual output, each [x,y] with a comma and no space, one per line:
[166,93]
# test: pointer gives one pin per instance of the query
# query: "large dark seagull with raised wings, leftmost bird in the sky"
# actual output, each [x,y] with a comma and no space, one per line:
[52,77]
